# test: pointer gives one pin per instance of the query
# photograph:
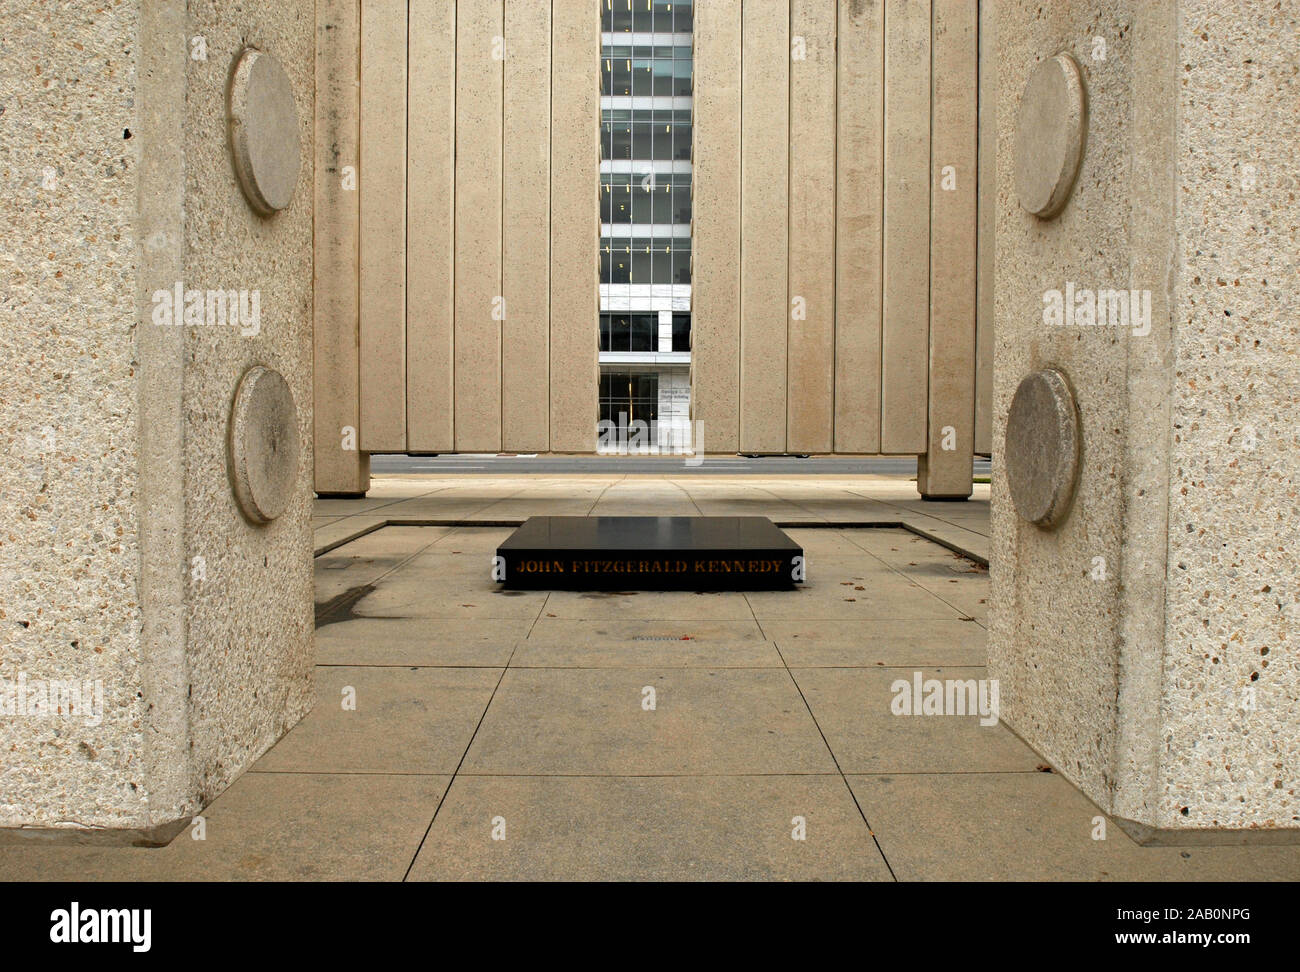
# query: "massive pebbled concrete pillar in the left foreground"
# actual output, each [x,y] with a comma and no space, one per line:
[155,640]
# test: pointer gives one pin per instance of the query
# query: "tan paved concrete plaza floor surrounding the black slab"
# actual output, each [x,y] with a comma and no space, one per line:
[506,735]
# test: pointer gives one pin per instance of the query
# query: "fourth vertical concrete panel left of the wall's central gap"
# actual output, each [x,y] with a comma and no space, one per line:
[431,225]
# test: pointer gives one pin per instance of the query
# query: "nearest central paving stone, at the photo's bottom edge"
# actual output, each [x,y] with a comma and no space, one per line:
[649,830]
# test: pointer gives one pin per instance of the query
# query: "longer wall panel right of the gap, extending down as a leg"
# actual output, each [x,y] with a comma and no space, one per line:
[946,470]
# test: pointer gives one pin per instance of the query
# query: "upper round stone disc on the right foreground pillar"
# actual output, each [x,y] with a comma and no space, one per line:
[1051,131]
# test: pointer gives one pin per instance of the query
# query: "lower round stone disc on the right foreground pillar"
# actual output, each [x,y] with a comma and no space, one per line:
[1043,448]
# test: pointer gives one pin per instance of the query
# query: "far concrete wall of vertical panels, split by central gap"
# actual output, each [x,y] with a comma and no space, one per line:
[835,189]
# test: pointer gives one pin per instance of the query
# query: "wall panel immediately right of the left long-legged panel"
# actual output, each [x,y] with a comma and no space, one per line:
[383,258]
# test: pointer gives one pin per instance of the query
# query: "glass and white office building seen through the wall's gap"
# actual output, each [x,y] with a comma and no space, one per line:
[645,220]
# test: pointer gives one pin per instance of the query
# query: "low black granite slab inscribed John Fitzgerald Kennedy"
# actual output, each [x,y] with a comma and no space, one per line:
[649,553]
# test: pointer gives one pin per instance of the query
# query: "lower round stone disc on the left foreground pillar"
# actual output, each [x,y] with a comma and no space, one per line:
[263,445]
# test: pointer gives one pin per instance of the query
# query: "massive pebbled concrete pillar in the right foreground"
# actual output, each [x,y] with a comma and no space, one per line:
[1141,640]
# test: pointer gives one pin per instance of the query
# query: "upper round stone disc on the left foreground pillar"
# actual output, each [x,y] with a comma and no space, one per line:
[263,131]
